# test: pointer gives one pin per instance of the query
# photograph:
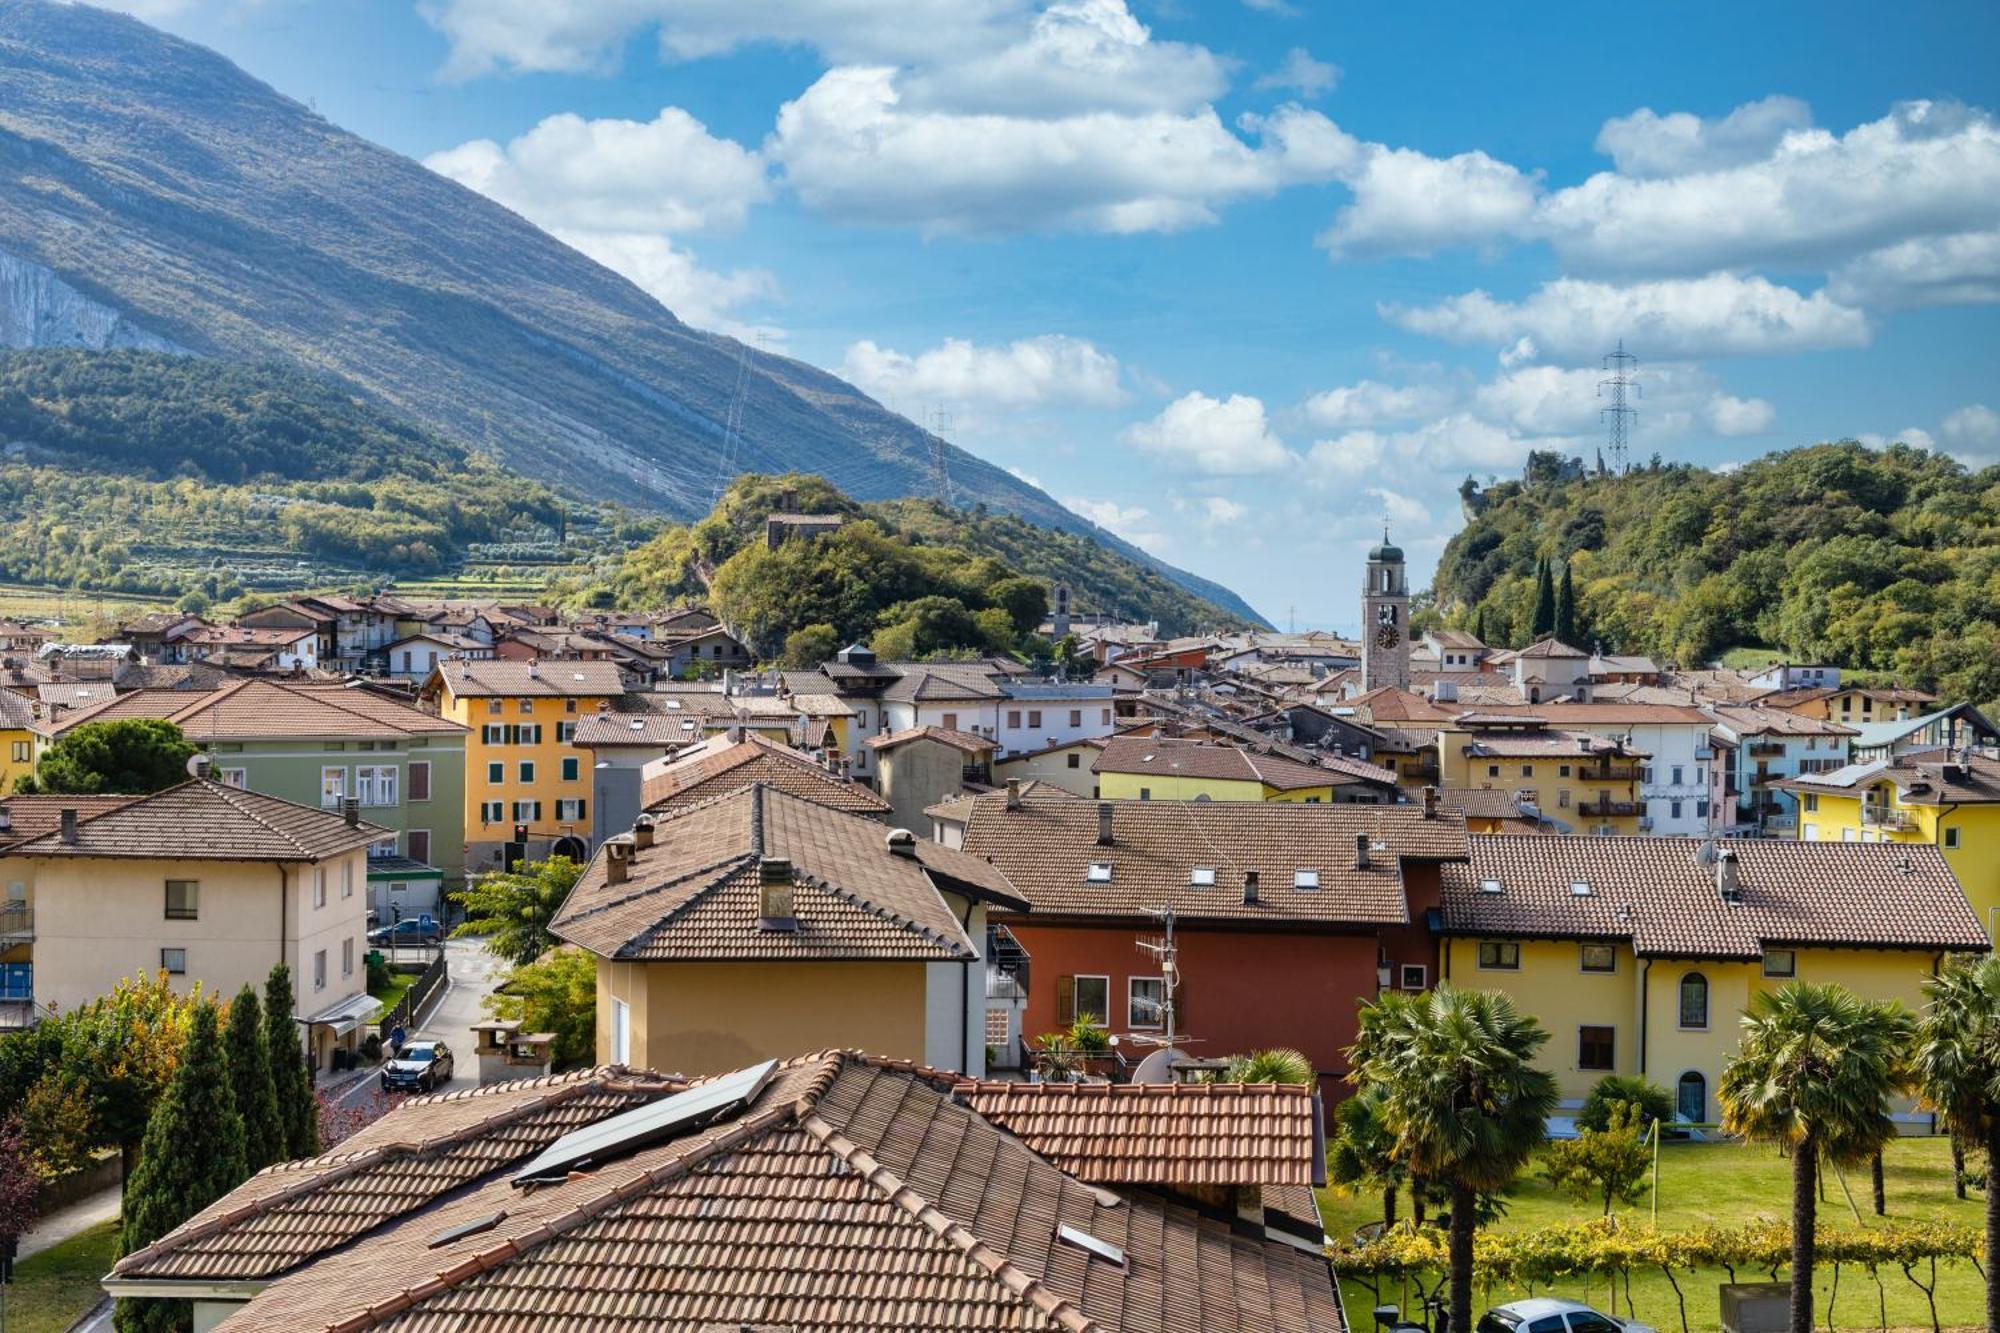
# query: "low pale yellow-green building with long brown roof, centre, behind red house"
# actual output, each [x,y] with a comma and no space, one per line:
[1173,770]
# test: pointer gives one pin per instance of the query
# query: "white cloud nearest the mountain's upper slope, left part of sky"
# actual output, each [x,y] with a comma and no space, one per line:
[667,175]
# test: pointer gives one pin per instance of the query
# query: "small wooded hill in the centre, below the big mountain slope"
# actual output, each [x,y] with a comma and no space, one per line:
[889,565]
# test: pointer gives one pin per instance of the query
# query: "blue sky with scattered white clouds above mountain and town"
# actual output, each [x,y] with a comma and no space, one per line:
[1247,279]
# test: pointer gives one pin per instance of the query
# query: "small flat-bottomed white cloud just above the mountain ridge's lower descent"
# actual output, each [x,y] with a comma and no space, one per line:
[1047,371]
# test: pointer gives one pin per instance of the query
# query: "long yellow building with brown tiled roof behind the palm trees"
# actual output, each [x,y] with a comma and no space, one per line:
[1639,956]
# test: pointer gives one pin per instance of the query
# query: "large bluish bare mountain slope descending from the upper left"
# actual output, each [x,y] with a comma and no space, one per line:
[155,195]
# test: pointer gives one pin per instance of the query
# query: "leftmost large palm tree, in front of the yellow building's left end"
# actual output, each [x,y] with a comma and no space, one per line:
[1463,1100]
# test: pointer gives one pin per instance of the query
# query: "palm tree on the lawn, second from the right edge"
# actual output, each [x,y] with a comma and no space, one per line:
[1815,1076]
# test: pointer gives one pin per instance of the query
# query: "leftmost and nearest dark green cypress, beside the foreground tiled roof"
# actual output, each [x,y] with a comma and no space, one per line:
[193,1156]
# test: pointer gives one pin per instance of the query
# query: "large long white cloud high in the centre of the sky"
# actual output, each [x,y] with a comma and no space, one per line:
[849,147]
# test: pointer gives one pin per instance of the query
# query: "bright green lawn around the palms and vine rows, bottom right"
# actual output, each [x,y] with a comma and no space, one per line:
[1737,1184]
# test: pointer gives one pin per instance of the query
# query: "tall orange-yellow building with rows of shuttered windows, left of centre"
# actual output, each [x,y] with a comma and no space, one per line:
[527,788]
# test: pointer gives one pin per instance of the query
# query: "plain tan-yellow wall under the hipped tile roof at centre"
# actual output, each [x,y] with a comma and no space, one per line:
[713,1018]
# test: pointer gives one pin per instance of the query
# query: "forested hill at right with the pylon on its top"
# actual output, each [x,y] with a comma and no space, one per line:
[1875,559]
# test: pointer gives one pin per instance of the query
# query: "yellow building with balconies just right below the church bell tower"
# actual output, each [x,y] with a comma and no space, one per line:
[1573,782]
